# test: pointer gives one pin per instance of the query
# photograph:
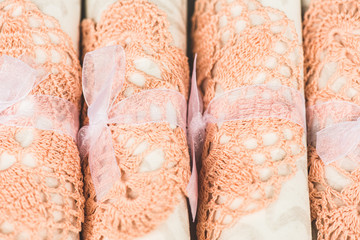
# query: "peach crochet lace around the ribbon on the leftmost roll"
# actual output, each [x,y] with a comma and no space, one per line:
[40,176]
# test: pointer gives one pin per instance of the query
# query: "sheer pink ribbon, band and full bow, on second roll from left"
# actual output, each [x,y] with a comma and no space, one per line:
[103,77]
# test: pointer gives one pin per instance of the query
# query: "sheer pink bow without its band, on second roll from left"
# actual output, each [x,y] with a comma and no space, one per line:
[103,76]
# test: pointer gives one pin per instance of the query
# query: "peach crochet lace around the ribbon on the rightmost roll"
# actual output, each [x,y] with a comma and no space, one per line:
[331,44]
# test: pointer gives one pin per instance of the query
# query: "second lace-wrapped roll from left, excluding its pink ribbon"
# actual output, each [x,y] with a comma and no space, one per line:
[148,201]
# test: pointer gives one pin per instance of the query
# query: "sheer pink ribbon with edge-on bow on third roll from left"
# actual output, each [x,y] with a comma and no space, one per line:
[248,102]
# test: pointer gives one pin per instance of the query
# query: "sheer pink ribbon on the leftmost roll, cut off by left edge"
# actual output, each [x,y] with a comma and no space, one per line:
[20,109]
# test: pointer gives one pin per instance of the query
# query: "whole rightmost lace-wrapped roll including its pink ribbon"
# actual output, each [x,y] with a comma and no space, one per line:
[331,43]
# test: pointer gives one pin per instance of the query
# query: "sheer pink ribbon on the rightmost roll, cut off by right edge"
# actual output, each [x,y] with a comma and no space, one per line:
[335,130]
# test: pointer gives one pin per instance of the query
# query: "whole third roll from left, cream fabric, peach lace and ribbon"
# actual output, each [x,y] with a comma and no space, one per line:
[253,178]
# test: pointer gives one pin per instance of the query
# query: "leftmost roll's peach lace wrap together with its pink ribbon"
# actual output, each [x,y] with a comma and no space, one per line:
[40,175]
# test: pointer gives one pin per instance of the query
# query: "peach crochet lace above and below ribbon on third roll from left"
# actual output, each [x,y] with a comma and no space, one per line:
[245,162]
